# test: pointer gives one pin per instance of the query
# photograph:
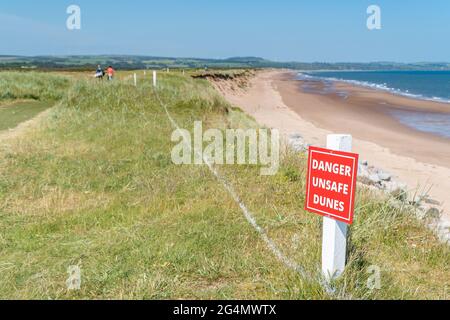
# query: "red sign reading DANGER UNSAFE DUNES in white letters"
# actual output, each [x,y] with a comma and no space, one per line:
[331,183]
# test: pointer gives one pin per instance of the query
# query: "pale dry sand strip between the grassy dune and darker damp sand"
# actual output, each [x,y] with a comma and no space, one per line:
[263,101]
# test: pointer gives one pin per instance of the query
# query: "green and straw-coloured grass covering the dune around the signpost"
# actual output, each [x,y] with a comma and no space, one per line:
[94,186]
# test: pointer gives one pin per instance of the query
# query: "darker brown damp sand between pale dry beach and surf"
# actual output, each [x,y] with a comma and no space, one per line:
[366,114]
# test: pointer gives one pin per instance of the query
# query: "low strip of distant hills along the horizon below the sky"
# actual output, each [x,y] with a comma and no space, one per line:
[129,62]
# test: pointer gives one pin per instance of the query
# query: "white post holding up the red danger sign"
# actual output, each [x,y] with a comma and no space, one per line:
[334,245]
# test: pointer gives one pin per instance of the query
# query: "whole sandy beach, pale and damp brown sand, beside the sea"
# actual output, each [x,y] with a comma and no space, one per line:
[419,159]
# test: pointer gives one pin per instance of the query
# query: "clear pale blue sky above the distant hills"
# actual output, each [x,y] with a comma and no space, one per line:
[284,30]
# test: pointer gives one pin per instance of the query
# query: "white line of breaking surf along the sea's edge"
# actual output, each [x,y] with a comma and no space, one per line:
[375,86]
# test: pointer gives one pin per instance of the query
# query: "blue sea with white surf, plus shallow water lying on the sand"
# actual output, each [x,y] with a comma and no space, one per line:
[423,85]
